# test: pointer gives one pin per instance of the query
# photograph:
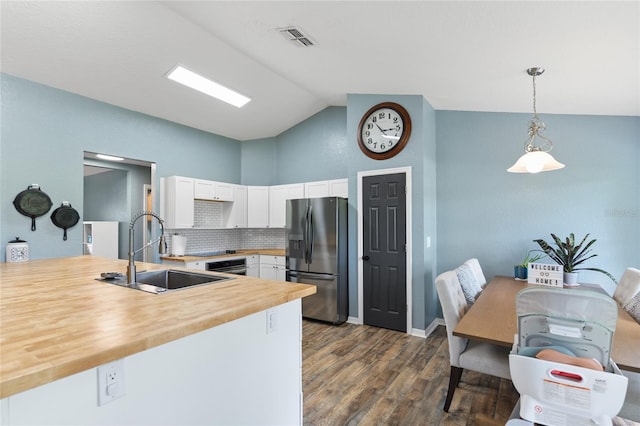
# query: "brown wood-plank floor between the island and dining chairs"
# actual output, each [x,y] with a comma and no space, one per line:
[361,375]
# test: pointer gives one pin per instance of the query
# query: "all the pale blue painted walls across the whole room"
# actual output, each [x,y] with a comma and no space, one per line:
[468,204]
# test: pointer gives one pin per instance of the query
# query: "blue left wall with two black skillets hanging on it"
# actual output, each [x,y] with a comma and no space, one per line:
[45,132]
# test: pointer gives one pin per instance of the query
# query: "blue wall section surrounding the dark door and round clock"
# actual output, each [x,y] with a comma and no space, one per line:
[419,154]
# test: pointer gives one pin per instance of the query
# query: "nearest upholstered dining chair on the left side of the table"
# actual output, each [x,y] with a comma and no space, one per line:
[463,353]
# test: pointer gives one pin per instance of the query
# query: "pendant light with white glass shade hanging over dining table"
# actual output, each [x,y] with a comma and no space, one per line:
[536,157]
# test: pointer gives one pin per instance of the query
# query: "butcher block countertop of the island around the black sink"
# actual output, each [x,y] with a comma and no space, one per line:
[57,319]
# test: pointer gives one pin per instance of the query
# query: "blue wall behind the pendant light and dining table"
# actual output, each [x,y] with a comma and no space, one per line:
[486,212]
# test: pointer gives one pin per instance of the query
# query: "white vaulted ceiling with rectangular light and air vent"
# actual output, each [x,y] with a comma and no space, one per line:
[459,55]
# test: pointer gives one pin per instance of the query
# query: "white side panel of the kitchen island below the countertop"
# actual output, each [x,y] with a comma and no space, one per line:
[236,373]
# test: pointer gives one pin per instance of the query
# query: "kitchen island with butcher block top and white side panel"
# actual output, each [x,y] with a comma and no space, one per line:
[226,352]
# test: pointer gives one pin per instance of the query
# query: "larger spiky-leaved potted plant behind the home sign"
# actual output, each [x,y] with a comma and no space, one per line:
[571,255]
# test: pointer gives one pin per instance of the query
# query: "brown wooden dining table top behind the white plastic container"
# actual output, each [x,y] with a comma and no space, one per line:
[492,318]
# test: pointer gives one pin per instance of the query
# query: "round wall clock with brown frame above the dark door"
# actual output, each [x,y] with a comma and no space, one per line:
[384,130]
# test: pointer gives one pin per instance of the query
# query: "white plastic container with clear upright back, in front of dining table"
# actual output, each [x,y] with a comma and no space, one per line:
[557,394]
